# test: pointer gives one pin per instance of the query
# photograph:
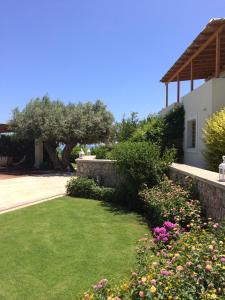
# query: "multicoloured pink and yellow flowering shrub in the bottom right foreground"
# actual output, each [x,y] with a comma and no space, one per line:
[190,267]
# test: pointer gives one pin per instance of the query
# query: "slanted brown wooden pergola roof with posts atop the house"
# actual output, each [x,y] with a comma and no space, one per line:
[203,59]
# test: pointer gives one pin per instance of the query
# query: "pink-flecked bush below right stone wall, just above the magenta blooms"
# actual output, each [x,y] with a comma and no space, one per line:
[168,201]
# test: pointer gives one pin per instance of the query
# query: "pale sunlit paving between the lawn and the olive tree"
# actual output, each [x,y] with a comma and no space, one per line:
[26,190]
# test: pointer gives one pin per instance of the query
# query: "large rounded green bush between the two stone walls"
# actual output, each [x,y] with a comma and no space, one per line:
[140,163]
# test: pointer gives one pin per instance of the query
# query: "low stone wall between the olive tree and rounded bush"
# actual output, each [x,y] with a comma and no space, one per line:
[102,170]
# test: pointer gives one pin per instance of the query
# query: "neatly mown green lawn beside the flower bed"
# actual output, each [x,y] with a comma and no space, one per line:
[57,249]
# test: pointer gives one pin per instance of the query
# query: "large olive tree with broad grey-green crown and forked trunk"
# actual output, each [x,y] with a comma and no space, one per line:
[57,123]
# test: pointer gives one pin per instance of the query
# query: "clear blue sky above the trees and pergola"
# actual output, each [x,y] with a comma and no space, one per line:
[80,50]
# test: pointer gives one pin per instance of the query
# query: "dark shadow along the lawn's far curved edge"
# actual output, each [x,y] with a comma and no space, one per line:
[119,209]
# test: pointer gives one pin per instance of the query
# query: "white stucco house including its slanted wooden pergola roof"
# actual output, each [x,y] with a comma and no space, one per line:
[203,59]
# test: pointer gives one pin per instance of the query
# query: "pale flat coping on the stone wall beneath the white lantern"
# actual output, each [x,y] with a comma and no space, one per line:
[200,174]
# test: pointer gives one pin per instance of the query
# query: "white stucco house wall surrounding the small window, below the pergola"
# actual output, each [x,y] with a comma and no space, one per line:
[199,105]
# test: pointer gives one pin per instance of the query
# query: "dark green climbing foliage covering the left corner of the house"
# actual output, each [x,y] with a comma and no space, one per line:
[174,130]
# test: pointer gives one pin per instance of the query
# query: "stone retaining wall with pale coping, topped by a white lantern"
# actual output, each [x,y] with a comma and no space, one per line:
[211,191]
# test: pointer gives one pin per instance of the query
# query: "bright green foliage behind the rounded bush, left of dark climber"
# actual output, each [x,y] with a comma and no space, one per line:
[150,130]
